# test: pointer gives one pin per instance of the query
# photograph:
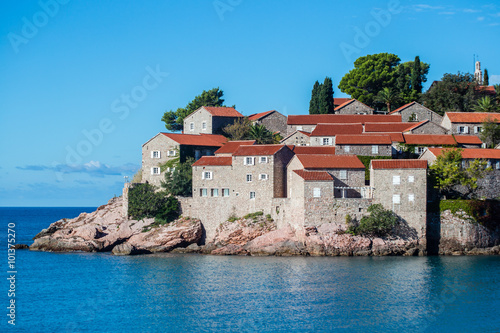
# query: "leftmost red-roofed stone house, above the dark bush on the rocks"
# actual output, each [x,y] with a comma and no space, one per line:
[167,146]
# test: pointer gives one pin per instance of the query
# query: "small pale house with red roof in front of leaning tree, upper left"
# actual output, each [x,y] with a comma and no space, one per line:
[210,120]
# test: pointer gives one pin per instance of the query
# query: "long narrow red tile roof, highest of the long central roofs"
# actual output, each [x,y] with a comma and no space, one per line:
[314,119]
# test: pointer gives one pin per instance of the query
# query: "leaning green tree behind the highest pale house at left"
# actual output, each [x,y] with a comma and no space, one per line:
[174,120]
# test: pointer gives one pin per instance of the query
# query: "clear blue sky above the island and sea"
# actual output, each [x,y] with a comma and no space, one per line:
[83,84]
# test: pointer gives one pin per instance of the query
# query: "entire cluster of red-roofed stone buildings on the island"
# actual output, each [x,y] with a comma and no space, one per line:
[315,175]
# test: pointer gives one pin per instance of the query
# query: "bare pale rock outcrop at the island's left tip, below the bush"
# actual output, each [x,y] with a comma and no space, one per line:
[107,229]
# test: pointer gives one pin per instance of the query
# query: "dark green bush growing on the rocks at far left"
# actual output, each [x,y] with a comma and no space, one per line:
[145,202]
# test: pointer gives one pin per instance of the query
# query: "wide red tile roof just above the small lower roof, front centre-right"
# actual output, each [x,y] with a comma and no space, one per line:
[330,161]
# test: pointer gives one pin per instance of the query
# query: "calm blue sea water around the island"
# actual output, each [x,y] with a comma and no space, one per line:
[98,292]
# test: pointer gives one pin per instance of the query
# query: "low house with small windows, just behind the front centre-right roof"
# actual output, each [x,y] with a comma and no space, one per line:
[365,145]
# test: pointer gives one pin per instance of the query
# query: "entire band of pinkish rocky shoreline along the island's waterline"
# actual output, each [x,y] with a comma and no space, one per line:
[107,230]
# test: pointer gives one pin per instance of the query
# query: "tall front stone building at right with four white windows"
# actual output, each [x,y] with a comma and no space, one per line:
[401,186]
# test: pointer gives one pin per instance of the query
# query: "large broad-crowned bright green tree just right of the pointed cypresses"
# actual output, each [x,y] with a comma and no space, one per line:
[371,74]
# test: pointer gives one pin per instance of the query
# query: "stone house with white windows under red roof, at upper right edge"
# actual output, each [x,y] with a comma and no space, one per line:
[467,123]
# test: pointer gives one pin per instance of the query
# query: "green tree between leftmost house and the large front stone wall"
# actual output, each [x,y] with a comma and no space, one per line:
[179,181]
